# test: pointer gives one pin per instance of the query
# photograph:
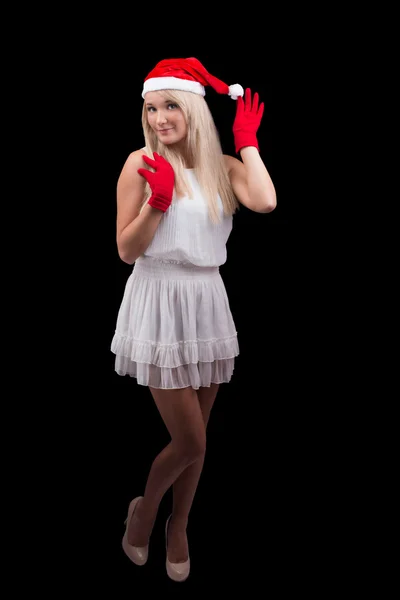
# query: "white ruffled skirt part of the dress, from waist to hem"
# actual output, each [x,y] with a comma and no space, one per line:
[174,327]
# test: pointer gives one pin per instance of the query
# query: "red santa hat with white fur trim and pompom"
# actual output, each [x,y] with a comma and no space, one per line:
[187,74]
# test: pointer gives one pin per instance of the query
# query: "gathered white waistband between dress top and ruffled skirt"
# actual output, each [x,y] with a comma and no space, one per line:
[168,269]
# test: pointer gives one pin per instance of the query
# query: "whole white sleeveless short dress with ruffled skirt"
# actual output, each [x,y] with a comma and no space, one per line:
[174,326]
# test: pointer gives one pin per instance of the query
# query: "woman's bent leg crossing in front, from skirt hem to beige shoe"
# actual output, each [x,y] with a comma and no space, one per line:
[183,418]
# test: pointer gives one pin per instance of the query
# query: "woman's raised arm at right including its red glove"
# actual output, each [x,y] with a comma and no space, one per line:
[250,179]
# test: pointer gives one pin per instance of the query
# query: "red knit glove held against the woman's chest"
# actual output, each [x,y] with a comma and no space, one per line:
[161,182]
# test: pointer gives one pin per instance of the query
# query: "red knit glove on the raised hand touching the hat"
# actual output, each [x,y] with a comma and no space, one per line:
[247,121]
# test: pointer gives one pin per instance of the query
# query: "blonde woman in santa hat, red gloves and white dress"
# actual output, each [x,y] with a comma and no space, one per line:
[175,332]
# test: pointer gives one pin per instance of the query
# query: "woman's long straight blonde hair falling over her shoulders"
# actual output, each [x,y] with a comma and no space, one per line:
[203,150]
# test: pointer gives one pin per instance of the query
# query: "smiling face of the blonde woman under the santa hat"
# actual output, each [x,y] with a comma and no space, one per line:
[165,118]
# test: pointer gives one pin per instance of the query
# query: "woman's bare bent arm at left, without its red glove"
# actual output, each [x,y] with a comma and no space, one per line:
[135,229]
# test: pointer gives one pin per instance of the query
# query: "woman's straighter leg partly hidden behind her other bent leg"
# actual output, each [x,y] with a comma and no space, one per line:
[184,487]
